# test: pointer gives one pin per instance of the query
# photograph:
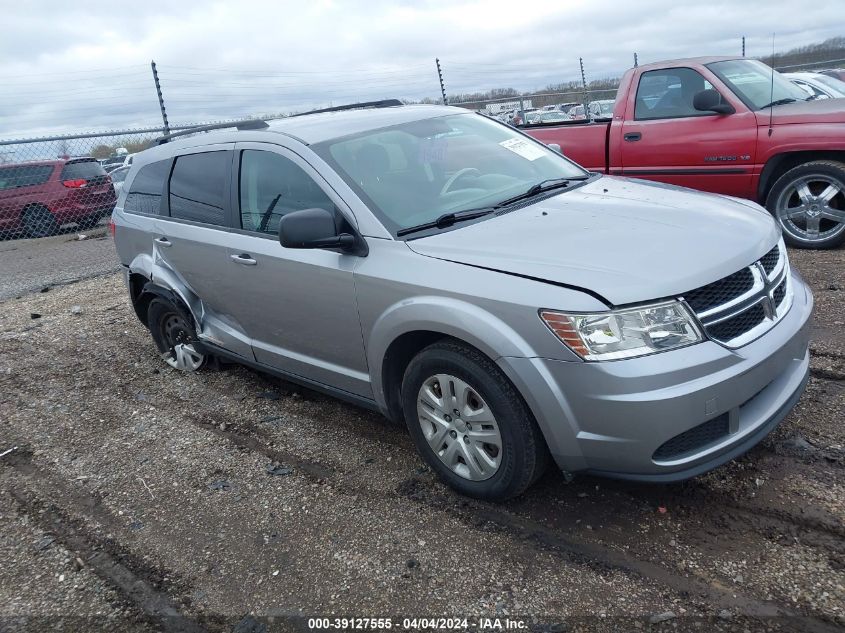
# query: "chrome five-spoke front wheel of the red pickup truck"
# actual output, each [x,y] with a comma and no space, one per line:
[812,208]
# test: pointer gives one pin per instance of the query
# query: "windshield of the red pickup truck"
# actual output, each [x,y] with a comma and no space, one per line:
[752,82]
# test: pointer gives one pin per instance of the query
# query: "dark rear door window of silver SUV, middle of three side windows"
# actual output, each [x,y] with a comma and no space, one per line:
[198,187]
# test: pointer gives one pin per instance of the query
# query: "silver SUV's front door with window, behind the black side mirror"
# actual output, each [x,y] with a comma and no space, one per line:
[298,305]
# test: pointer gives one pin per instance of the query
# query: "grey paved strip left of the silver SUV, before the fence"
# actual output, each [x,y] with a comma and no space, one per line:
[29,265]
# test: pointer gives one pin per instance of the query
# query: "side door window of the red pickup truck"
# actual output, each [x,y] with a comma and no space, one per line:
[668,94]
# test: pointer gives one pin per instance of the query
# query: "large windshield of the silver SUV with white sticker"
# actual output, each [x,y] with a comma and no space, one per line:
[415,172]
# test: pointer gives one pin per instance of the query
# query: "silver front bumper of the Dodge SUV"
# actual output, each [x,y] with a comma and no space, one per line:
[609,418]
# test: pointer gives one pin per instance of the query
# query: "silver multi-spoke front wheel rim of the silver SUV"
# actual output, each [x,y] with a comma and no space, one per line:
[459,427]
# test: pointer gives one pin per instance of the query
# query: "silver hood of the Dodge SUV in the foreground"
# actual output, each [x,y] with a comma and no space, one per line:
[626,240]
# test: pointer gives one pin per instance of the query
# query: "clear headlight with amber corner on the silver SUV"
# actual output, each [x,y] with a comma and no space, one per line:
[624,333]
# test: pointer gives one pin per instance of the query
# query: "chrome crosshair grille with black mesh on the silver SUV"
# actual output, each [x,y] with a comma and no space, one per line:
[744,305]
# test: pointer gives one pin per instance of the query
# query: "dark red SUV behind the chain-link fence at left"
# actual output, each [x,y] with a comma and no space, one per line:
[38,197]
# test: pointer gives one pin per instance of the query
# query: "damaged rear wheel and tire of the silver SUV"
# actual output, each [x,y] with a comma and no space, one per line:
[173,332]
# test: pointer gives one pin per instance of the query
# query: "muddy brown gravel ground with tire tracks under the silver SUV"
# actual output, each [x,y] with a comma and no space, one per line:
[140,498]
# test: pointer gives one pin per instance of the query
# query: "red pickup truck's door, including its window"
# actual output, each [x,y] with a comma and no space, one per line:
[664,138]
